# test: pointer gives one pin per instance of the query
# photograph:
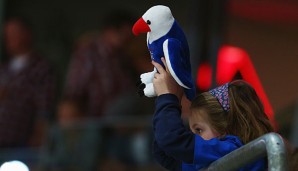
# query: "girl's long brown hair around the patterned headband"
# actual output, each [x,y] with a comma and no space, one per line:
[246,117]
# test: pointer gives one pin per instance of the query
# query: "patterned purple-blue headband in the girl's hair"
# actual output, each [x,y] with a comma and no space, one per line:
[221,93]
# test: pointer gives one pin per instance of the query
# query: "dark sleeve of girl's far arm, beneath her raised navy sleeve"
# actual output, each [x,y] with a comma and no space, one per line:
[164,160]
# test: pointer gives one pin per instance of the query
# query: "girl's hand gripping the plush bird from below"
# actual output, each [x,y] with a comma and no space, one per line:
[164,83]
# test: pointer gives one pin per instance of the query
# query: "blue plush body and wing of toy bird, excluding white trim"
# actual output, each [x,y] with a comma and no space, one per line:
[179,56]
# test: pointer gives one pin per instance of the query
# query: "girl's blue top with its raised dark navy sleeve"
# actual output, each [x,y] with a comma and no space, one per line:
[176,148]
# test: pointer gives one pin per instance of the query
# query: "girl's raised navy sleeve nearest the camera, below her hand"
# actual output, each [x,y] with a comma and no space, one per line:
[169,131]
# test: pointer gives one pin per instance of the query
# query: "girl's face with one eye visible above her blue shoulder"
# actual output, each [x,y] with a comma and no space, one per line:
[198,122]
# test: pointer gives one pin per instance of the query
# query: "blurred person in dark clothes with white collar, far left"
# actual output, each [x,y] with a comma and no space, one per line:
[26,88]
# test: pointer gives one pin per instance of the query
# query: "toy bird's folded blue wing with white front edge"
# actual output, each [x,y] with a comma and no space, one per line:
[179,65]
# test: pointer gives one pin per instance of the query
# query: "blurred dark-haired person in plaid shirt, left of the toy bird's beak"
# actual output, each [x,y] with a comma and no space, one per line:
[100,68]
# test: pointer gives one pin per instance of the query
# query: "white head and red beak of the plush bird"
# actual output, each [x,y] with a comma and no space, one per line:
[157,21]
